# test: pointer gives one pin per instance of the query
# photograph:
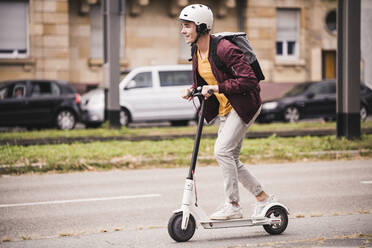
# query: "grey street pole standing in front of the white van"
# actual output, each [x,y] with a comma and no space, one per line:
[111,10]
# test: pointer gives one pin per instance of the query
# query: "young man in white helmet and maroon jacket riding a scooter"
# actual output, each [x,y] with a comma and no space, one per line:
[236,100]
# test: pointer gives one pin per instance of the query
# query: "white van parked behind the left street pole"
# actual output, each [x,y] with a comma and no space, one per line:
[147,94]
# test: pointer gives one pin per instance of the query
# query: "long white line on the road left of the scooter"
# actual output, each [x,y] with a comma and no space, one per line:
[123,197]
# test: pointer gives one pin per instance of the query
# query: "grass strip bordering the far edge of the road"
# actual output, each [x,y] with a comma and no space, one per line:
[173,153]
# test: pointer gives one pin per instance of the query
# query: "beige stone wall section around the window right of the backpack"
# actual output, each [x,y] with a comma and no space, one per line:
[313,38]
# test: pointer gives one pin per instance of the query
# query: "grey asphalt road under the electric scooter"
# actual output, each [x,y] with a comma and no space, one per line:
[330,204]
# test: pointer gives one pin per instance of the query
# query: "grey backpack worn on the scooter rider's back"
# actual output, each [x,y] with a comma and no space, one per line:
[241,41]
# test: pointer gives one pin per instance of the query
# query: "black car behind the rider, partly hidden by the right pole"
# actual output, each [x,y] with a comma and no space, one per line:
[311,100]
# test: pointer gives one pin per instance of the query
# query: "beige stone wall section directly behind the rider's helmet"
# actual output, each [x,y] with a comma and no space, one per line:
[157,41]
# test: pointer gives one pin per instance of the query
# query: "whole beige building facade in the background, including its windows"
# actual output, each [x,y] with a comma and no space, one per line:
[295,40]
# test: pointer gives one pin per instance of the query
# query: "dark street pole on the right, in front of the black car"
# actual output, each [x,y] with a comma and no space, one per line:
[348,69]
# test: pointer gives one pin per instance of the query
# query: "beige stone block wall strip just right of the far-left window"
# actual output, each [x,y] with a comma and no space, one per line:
[49,40]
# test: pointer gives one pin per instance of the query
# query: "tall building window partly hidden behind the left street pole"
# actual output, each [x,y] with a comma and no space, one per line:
[96,33]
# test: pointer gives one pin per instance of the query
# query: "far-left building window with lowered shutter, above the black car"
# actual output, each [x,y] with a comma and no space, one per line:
[13,29]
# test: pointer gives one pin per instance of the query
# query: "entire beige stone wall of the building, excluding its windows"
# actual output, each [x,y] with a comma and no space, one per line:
[59,33]
